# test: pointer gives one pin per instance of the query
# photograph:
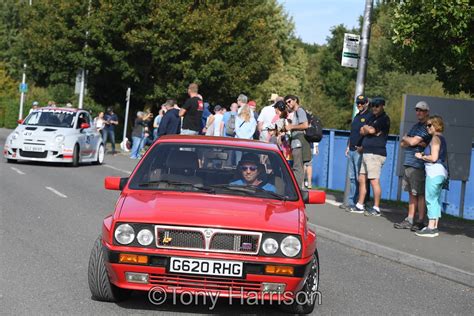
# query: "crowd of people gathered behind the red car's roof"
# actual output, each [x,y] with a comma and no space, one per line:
[282,122]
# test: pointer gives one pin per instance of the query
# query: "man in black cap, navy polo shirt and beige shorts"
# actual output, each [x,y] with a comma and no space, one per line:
[374,150]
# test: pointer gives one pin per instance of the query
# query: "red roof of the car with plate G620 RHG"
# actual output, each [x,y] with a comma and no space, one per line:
[222,141]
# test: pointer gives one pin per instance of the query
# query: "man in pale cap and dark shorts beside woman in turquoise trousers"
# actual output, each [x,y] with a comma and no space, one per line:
[414,169]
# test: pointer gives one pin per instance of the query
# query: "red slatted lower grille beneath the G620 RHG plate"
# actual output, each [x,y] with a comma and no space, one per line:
[234,287]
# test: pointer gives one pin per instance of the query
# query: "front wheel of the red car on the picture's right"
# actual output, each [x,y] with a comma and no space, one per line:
[306,298]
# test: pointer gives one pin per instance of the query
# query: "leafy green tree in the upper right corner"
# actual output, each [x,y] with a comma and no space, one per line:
[437,35]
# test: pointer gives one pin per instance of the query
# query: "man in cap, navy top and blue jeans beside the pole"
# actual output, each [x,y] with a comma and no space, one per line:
[352,149]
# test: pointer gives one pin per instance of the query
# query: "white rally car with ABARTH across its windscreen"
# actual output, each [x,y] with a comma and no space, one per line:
[55,135]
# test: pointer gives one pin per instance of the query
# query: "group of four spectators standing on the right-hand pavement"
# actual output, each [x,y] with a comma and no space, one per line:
[425,164]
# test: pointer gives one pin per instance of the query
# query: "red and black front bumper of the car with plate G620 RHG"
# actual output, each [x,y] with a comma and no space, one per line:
[250,285]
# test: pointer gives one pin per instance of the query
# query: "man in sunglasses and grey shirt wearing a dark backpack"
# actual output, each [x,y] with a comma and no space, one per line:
[300,147]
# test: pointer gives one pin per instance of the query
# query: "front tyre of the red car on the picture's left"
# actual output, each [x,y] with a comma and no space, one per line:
[99,283]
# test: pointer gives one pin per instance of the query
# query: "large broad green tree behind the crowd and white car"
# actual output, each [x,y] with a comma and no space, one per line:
[157,47]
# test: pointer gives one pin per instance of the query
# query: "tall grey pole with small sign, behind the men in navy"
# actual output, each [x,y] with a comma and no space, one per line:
[361,73]
